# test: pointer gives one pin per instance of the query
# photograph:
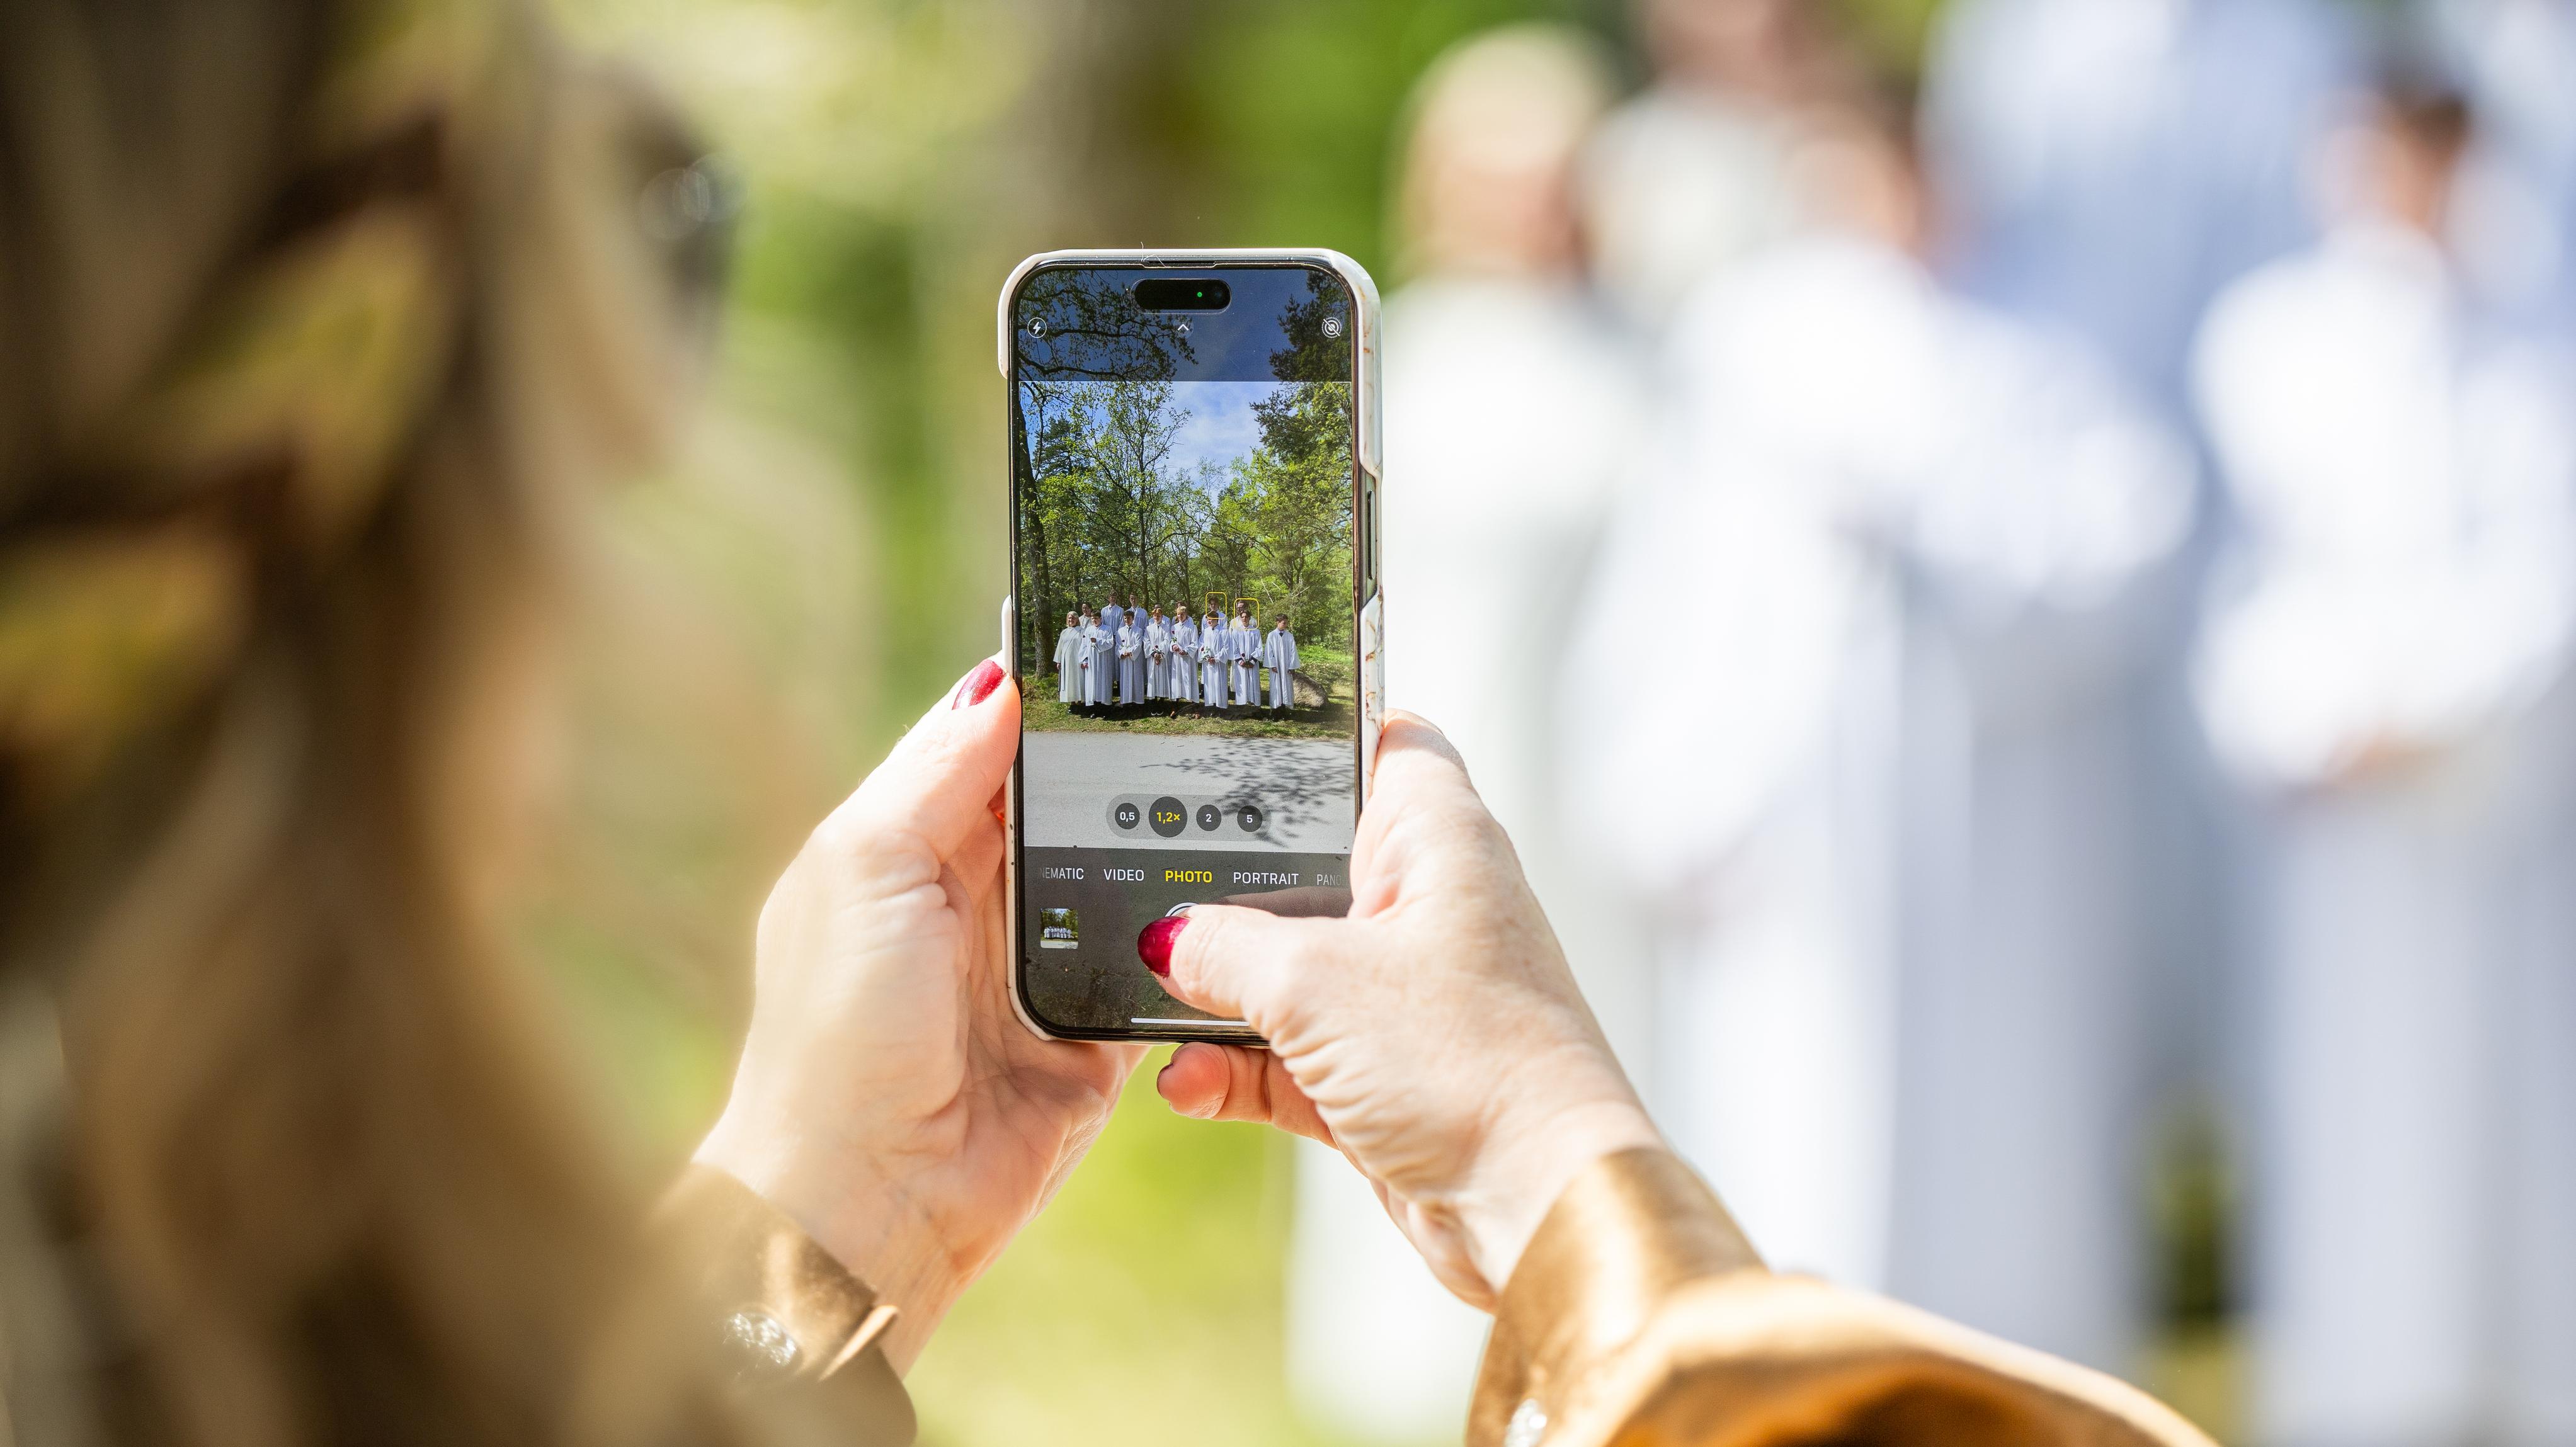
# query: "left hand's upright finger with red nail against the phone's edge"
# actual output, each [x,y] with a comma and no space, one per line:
[942,776]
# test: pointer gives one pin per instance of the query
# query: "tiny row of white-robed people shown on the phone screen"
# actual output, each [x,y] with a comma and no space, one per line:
[1145,658]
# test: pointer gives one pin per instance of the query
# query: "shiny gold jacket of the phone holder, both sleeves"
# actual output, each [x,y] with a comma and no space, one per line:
[1637,1317]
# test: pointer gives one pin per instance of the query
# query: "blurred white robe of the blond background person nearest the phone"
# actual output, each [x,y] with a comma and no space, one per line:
[1511,411]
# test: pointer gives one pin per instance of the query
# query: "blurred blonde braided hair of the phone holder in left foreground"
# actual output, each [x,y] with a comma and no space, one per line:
[318,318]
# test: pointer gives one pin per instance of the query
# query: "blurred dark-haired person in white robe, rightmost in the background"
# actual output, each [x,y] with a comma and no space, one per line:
[2387,673]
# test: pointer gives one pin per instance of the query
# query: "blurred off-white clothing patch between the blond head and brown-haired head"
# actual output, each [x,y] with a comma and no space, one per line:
[1673,187]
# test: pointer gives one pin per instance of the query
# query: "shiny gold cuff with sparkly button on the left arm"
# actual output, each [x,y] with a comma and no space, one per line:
[782,1309]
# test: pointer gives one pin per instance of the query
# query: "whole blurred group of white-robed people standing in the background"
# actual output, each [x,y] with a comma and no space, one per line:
[2129,673]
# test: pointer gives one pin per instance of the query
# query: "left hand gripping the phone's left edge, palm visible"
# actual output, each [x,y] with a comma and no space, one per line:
[887,1098]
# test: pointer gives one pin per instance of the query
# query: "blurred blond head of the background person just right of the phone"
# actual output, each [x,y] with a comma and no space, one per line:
[1490,145]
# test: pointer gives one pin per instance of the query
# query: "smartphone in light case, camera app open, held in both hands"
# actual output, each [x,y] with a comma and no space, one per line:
[1194,614]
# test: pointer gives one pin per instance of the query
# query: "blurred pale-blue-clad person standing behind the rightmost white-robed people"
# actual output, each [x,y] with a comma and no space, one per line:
[2106,166]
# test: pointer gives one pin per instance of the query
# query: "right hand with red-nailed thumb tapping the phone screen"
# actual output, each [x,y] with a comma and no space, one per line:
[1434,1036]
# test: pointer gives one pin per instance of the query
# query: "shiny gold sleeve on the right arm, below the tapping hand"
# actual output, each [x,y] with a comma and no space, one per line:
[1642,1317]
